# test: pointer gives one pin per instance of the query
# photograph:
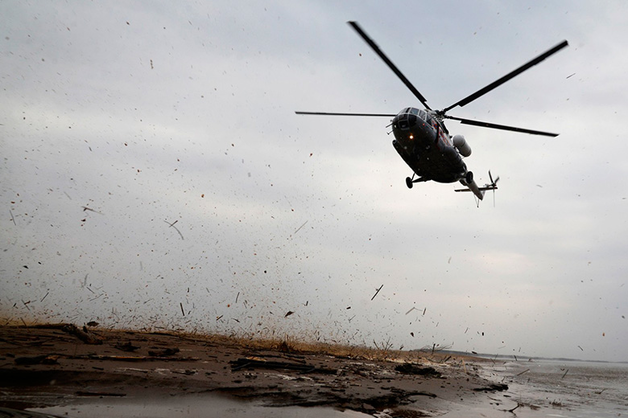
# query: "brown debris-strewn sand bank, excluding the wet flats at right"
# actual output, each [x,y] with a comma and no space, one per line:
[51,365]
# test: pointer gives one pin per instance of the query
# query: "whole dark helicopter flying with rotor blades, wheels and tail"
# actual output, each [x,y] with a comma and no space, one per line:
[423,141]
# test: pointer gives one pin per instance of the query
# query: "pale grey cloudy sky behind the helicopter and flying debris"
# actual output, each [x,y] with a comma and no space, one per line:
[154,174]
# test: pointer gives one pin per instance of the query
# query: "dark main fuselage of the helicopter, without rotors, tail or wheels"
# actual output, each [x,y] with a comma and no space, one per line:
[424,143]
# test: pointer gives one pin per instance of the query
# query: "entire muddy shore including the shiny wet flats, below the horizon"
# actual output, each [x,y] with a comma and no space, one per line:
[65,370]
